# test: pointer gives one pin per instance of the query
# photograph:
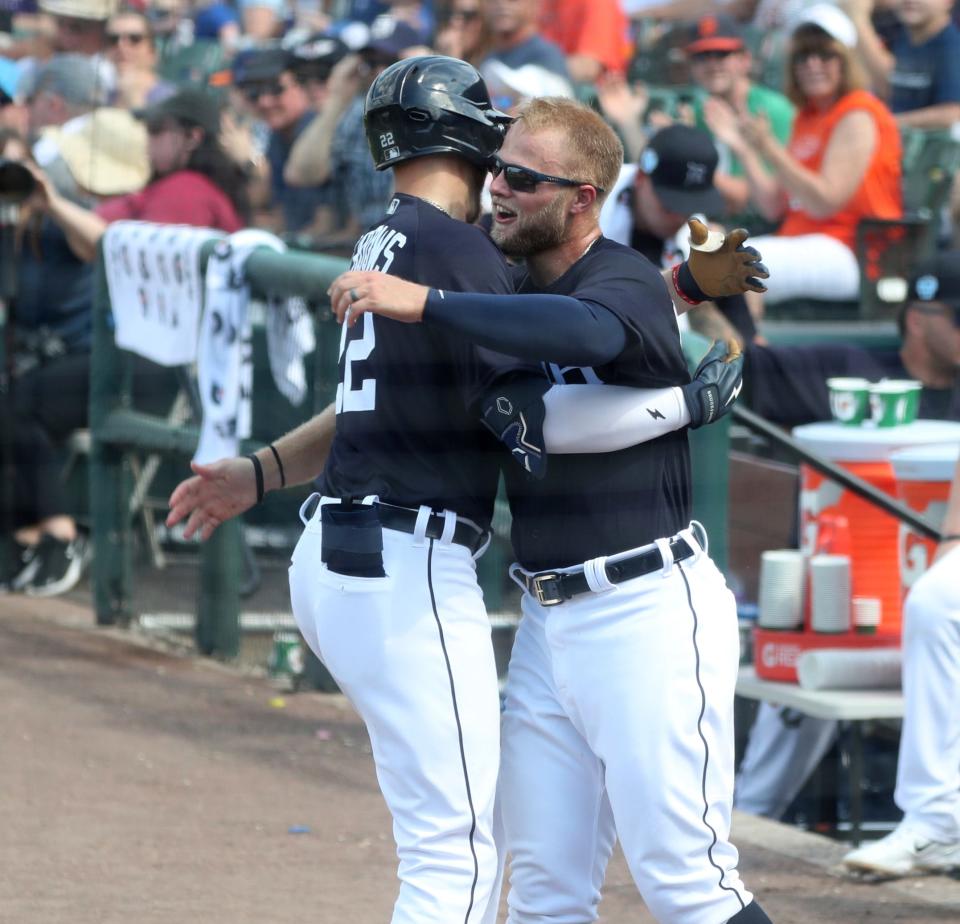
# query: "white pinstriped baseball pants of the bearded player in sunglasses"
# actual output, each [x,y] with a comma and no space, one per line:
[619,708]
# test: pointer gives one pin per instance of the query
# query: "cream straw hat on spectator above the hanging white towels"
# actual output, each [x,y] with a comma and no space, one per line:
[105,151]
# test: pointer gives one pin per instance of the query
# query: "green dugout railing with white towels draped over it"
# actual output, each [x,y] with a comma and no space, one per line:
[119,432]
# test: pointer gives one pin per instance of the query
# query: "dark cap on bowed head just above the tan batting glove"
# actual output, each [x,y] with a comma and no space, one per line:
[680,162]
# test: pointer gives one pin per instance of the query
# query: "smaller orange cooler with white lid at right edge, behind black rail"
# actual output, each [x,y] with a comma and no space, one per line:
[923,476]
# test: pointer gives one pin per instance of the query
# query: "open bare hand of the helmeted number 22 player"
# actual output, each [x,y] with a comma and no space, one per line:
[214,494]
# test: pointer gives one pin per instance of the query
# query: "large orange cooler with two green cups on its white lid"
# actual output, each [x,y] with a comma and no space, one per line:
[874,536]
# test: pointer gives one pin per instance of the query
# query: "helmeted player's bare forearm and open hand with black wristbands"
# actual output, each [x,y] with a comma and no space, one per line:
[228,487]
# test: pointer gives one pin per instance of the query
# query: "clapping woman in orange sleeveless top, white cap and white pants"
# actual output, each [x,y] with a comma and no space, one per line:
[842,164]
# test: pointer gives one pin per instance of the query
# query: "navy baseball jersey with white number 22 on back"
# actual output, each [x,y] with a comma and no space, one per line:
[408,425]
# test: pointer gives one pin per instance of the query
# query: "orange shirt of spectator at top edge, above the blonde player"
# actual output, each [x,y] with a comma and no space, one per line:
[595,28]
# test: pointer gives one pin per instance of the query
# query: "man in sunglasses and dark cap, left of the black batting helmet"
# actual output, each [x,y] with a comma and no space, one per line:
[270,91]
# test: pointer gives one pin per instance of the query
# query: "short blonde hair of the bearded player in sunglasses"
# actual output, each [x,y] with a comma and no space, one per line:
[594,153]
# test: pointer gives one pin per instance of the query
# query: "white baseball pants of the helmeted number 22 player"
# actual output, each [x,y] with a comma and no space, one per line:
[412,651]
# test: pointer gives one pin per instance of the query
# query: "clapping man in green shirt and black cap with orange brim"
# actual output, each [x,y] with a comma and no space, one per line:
[720,64]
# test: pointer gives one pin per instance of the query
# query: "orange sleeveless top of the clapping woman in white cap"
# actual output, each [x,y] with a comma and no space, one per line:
[879,194]
